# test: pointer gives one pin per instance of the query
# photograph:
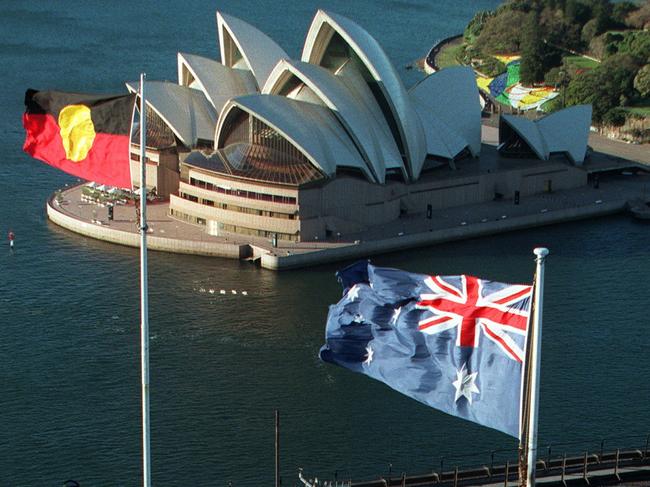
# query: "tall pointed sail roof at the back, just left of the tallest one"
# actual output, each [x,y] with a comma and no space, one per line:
[259,52]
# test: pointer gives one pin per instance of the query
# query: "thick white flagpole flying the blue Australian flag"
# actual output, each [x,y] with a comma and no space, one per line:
[535,356]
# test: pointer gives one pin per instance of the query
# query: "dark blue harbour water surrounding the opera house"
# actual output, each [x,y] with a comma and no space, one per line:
[69,322]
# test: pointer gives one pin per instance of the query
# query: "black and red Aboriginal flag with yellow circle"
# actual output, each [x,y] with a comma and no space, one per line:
[84,135]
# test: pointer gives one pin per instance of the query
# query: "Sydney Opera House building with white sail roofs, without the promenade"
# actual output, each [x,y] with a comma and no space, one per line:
[259,144]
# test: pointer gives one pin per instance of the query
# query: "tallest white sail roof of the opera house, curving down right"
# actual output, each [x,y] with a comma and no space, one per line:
[382,71]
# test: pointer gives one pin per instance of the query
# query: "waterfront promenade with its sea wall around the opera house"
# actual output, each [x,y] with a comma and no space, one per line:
[413,230]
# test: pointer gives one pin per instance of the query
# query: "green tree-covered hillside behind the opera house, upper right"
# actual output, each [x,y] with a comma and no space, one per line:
[592,51]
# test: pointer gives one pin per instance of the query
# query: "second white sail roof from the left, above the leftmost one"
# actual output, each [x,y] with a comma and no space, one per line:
[218,82]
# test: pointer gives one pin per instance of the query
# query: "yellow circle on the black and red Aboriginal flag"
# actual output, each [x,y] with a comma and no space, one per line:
[77,131]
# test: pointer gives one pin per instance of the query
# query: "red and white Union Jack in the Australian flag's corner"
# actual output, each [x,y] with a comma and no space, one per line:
[475,306]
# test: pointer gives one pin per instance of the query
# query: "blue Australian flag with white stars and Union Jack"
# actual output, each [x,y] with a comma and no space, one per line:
[455,343]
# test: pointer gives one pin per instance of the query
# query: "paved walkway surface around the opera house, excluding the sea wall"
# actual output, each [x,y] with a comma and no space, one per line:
[608,155]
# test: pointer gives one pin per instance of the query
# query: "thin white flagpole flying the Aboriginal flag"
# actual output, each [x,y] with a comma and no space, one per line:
[144,294]
